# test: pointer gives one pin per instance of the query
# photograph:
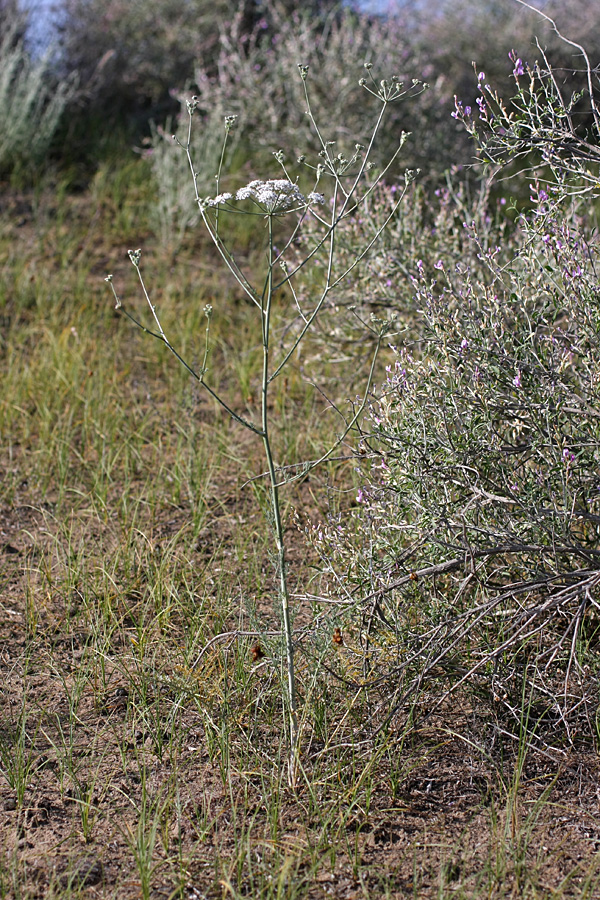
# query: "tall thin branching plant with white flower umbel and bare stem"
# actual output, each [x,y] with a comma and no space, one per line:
[338,187]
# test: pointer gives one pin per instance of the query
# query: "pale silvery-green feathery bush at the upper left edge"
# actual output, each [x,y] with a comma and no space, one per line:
[31,105]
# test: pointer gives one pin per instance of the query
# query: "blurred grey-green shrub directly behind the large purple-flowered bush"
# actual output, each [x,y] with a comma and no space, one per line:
[429,225]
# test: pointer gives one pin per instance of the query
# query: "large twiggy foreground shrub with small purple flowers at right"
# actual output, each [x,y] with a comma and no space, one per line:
[471,558]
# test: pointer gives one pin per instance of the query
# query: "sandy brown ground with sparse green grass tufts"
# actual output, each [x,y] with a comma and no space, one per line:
[139,756]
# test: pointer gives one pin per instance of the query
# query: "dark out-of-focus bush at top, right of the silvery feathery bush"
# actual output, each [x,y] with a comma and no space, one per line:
[131,55]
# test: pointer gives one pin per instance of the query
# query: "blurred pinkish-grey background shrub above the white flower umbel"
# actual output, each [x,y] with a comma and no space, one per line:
[259,85]
